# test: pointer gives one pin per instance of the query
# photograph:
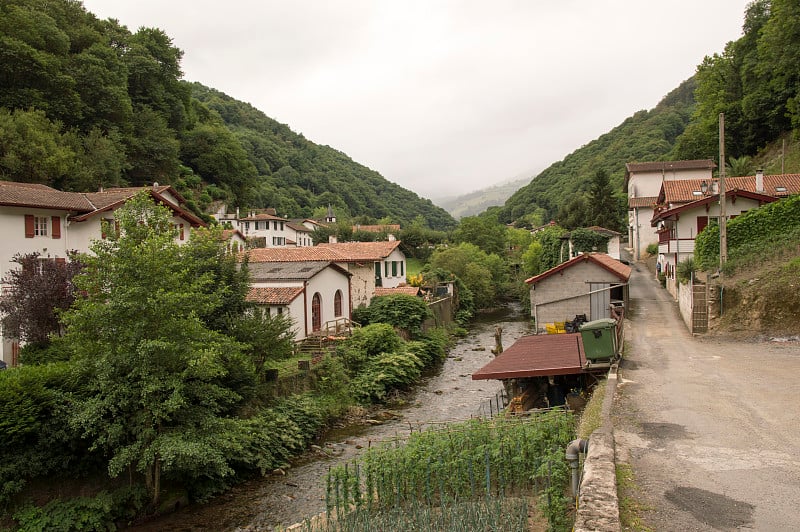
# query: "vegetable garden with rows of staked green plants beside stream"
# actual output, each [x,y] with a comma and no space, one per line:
[474,475]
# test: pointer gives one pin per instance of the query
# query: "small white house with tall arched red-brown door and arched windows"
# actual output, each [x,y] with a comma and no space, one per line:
[314,294]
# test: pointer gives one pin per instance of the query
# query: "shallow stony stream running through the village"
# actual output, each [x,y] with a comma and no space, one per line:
[448,394]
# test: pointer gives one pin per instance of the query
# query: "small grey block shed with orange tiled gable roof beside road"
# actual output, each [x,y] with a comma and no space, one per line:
[587,284]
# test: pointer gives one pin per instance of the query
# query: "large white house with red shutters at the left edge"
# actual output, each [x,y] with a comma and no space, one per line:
[36,218]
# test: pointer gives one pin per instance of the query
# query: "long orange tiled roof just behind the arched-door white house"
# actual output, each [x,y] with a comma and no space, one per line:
[344,252]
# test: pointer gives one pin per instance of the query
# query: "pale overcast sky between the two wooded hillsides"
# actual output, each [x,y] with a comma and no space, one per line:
[442,97]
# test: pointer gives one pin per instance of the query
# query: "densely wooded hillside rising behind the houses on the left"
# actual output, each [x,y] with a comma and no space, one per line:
[86,103]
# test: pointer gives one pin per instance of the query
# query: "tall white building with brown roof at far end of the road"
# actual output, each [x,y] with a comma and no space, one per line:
[643,183]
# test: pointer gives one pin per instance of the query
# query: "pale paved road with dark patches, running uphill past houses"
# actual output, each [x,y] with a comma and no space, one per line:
[710,427]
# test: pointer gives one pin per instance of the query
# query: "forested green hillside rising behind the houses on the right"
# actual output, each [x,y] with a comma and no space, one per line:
[755,82]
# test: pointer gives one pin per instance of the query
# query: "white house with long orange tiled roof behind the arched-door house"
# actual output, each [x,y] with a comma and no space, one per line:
[372,264]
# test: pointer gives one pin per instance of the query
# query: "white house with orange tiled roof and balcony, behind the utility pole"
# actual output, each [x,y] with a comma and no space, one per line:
[685,208]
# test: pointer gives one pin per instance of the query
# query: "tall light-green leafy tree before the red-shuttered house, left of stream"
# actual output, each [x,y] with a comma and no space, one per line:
[156,397]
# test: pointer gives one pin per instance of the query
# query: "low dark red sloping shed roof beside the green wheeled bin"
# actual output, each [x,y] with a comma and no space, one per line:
[537,356]
